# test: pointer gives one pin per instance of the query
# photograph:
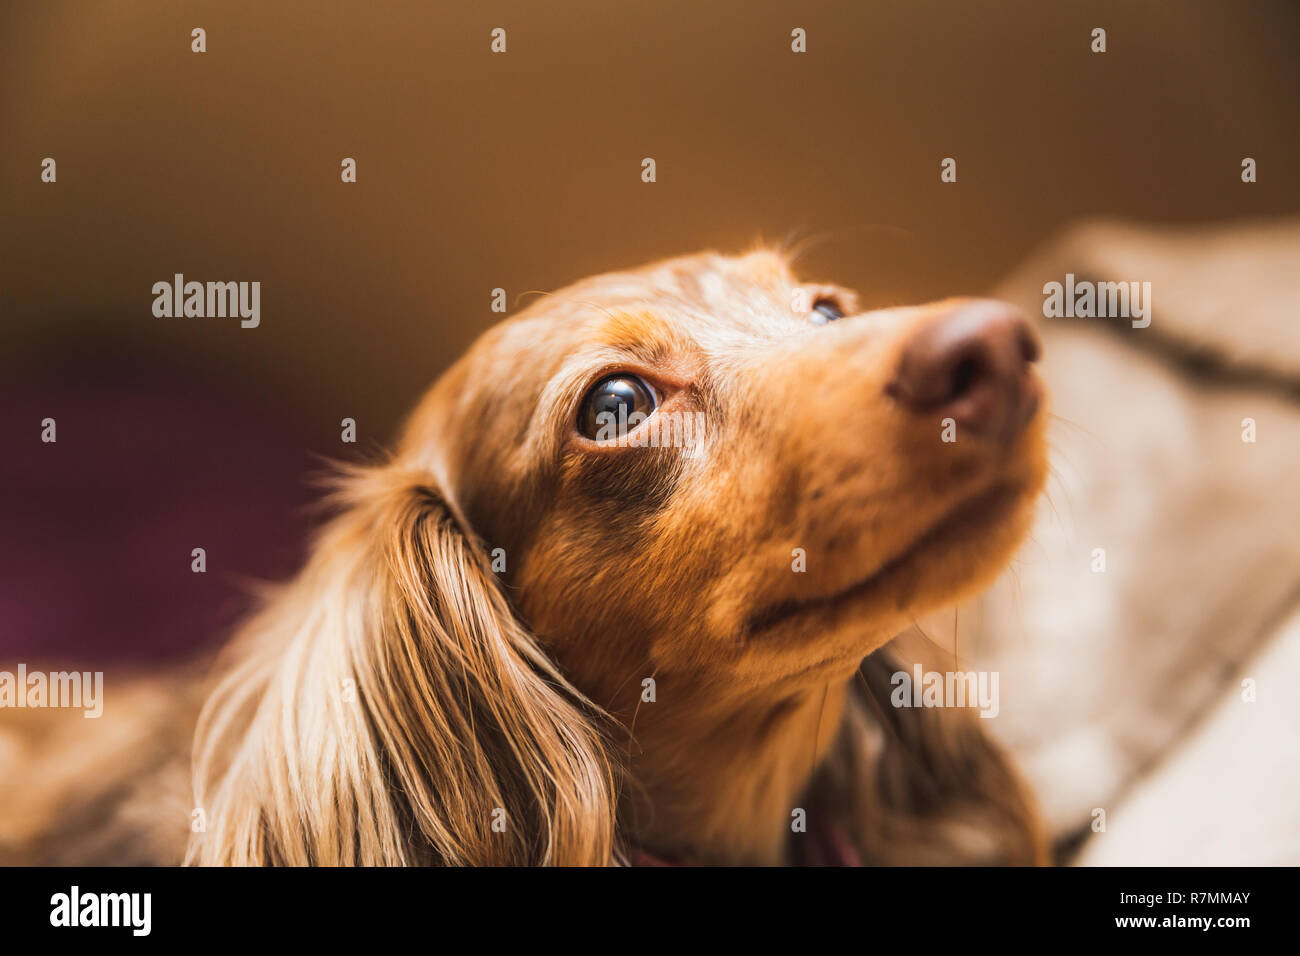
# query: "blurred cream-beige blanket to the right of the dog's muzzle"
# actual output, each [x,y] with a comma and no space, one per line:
[1110,678]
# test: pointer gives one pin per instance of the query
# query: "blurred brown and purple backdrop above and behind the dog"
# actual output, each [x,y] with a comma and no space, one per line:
[519,171]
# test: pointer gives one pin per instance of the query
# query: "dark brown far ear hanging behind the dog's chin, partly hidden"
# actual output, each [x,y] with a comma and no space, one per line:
[925,786]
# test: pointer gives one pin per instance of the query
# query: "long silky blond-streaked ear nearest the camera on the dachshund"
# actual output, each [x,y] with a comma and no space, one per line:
[388,710]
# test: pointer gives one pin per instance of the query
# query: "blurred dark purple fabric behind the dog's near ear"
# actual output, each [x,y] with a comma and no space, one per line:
[98,529]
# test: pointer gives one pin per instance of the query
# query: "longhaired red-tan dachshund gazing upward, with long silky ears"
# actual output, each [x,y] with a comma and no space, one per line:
[623,595]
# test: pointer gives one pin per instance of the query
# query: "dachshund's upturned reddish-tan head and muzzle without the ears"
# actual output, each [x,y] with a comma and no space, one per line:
[804,482]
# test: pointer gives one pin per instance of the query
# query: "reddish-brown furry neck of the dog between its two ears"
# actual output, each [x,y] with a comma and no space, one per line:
[718,780]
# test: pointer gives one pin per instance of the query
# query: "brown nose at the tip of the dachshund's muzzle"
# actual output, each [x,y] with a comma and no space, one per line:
[973,366]
